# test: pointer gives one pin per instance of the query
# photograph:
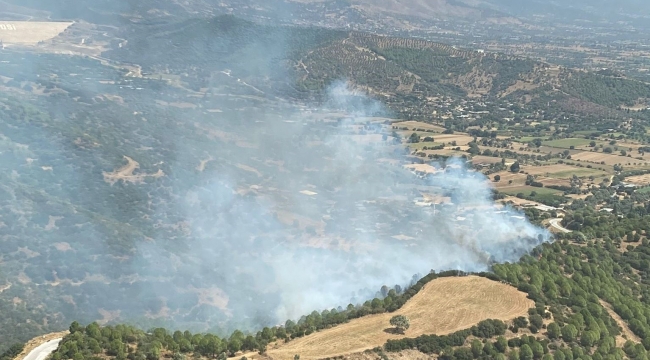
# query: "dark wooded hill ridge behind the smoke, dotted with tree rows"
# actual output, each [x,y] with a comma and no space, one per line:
[412,76]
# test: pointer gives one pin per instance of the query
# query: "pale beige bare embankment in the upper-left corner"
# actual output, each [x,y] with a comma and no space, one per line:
[30,32]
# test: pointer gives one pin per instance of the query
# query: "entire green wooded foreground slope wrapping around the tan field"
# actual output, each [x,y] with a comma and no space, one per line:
[577,288]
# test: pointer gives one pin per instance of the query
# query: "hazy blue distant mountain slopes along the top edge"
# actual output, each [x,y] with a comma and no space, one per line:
[321,11]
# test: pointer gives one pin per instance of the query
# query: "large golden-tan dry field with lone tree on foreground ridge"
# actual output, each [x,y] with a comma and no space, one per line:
[443,306]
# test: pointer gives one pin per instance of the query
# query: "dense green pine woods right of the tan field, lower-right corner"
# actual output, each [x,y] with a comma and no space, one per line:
[567,283]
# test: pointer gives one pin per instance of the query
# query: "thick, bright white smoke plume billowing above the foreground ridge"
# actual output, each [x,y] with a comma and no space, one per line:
[333,217]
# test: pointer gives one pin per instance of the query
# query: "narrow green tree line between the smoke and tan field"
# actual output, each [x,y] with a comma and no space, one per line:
[121,340]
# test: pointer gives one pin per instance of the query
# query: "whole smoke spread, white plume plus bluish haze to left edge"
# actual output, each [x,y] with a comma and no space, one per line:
[135,199]
